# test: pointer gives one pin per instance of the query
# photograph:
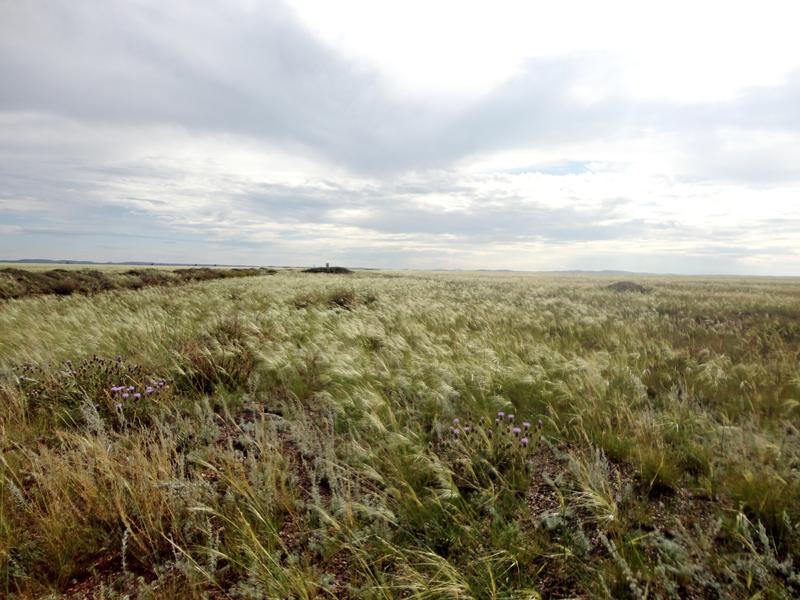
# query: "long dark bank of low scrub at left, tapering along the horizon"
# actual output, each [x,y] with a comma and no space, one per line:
[18,283]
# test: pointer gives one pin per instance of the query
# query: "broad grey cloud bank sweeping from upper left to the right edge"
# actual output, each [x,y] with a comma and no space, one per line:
[216,67]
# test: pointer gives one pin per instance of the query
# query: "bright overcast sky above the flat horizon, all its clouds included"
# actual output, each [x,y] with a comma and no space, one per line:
[642,136]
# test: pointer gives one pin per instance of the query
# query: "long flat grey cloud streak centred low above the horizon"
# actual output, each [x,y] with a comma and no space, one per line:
[488,219]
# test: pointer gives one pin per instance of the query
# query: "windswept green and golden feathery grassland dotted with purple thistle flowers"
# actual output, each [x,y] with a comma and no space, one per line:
[314,435]
